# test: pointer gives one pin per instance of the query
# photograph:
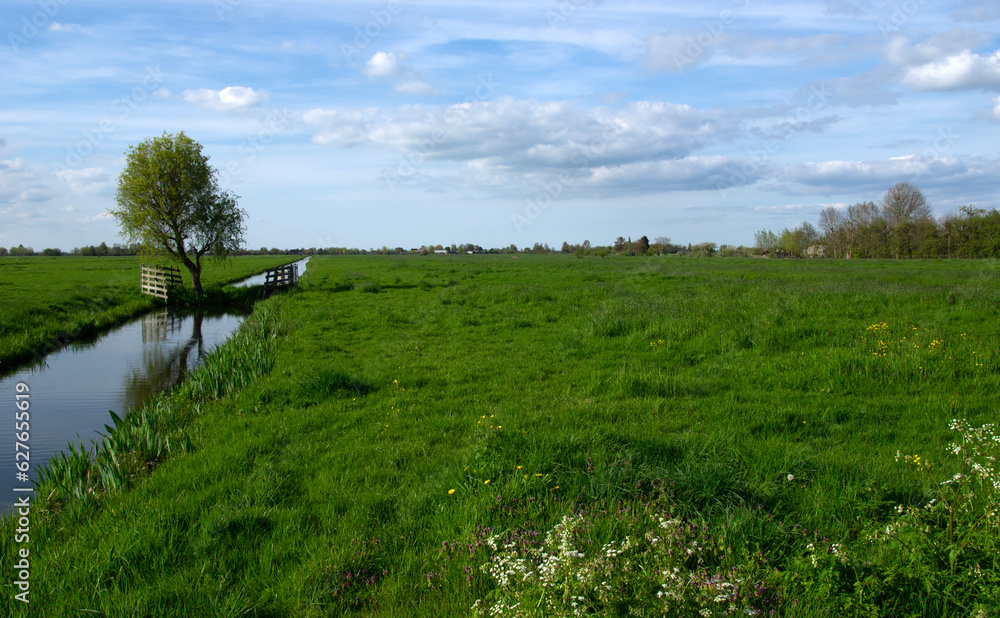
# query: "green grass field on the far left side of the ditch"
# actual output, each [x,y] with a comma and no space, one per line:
[49,301]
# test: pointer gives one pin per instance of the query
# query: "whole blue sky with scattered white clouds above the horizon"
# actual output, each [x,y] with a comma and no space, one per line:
[406,123]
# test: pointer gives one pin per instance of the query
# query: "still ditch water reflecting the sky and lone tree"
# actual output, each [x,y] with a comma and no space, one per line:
[72,389]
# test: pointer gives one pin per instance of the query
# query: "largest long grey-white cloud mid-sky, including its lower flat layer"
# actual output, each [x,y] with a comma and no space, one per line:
[507,142]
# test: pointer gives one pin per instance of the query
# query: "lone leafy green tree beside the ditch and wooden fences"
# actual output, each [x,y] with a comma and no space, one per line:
[169,200]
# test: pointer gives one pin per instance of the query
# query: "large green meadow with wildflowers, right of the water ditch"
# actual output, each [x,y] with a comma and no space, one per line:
[550,435]
